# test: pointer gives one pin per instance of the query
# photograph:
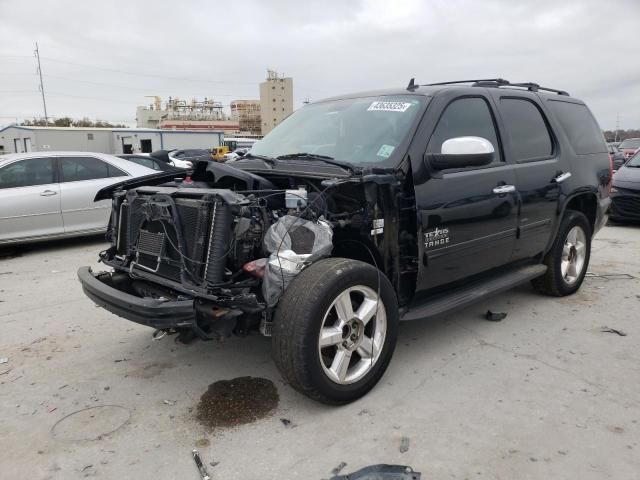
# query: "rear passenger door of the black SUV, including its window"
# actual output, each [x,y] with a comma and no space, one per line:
[539,167]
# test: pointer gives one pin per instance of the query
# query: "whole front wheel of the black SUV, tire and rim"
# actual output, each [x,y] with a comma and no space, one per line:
[315,301]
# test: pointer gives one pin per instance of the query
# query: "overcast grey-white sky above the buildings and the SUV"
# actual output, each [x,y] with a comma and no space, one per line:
[100,59]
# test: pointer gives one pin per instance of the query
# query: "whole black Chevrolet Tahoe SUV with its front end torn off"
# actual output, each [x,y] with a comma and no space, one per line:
[358,212]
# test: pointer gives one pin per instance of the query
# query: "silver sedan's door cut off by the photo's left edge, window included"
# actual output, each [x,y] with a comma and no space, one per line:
[29,199]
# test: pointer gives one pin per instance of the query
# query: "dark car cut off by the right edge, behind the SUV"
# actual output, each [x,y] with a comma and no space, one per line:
[625,192]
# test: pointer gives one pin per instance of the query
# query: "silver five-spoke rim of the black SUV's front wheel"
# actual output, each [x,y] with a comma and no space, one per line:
[352,335]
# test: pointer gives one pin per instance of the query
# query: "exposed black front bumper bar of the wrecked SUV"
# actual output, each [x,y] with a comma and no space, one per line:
[155,313]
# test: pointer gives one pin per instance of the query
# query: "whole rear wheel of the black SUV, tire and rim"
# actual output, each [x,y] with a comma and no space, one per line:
[573,245]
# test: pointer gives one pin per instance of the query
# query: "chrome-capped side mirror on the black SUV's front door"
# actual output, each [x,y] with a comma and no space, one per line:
[461,152]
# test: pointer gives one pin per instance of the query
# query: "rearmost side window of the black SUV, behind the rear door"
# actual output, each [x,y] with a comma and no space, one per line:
[582,130]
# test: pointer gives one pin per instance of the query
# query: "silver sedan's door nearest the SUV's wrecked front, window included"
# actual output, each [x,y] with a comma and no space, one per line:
[81,178]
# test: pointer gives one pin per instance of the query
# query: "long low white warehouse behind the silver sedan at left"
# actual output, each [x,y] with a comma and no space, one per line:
[18,139]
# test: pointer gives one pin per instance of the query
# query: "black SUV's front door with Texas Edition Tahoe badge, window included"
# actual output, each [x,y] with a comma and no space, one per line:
[467,217]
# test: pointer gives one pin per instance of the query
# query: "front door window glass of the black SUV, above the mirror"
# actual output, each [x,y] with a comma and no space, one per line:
[465,117]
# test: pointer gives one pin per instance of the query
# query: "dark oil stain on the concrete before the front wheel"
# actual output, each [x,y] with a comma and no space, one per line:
[228,403]
